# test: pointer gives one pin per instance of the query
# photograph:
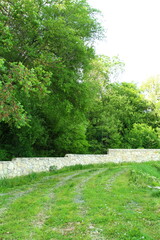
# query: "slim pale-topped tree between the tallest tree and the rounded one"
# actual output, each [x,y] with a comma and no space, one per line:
[102,69]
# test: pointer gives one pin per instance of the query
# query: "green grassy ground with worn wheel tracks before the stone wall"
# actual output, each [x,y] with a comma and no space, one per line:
[93,202]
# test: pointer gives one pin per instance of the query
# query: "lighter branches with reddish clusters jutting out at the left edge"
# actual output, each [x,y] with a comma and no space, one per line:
[17,84]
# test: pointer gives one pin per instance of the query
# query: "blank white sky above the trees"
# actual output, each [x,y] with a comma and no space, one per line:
[132,33]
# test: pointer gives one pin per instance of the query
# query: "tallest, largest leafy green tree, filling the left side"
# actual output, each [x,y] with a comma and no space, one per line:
[46,50]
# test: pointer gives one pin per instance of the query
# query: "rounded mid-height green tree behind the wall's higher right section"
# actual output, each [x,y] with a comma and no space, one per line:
[113,118]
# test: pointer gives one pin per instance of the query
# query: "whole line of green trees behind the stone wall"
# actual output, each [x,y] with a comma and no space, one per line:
[56,96]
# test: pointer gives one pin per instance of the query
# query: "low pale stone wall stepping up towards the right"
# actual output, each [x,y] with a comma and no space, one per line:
[24,166]
